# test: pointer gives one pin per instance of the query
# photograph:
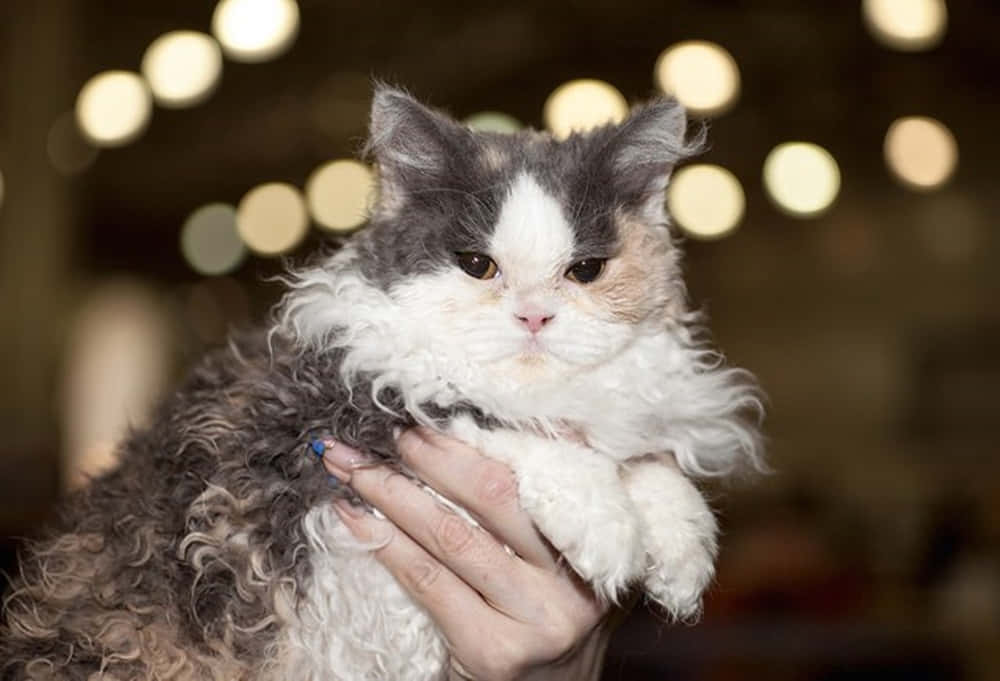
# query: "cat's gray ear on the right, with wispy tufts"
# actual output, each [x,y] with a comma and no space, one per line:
[644,151]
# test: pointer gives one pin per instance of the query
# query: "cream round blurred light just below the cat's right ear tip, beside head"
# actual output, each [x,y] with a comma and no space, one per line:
[706,201]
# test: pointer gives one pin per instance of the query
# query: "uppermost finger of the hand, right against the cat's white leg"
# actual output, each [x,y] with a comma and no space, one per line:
[484,487]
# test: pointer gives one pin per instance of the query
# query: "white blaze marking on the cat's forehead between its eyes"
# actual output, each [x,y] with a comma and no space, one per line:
[533,237]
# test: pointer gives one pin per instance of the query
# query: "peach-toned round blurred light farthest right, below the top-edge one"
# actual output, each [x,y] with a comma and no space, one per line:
[921,152]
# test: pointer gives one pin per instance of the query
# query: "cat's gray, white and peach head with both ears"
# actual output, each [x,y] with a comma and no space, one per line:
[523,256]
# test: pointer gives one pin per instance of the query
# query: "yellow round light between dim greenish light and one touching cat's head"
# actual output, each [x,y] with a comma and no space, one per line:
[271,219]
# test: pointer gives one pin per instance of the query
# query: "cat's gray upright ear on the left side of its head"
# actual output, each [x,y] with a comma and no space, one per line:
[410,142]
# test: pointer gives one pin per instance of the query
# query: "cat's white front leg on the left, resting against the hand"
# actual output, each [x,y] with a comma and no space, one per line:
[577,500]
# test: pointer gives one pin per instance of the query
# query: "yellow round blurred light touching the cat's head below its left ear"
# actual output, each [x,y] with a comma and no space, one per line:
[339,194]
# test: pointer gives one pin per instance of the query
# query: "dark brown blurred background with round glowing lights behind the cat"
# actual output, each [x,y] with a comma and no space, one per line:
[158,160]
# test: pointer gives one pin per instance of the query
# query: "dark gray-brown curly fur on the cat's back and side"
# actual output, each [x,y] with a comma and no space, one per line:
[242,421]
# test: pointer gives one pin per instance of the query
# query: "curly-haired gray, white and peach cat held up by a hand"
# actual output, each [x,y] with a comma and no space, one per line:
[515,291]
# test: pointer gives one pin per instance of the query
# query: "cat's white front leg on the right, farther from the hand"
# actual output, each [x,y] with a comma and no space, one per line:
[679,532]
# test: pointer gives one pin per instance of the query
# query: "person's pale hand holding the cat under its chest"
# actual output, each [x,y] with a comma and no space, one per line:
[506,615]
